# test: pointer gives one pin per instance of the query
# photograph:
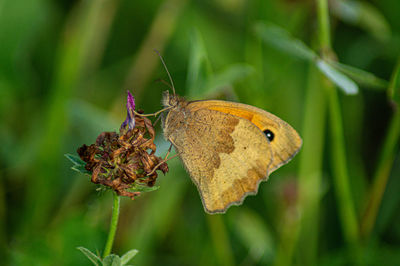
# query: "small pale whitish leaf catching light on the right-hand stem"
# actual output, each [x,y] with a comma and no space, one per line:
[340,79]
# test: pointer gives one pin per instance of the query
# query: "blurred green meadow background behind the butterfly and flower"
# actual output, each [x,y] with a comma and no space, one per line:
[65,67]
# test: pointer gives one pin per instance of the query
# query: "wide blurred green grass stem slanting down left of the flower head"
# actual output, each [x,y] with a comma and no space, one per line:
[75,50]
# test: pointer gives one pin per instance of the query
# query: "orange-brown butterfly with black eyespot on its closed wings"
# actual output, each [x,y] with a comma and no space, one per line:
[228,148]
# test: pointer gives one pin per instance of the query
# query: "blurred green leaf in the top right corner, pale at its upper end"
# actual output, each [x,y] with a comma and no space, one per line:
[365,16]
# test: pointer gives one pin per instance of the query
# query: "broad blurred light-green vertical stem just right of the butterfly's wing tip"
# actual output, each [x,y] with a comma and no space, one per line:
[310,167]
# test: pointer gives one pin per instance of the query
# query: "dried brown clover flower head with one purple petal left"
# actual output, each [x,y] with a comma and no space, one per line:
[126,161]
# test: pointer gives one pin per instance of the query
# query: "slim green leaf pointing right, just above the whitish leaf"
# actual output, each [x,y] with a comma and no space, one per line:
[362,77]
